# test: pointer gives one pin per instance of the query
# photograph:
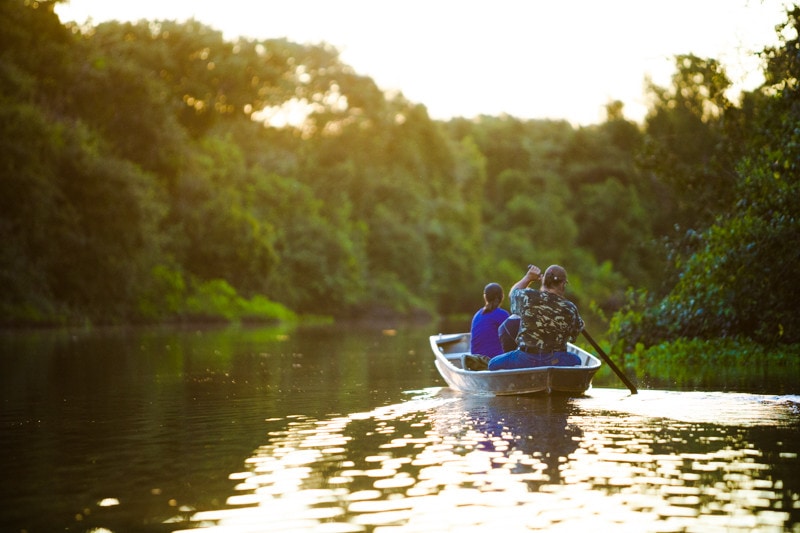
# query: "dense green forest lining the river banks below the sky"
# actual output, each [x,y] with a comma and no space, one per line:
[144,177]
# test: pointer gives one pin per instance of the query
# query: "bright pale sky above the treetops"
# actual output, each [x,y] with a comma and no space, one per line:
[558,59]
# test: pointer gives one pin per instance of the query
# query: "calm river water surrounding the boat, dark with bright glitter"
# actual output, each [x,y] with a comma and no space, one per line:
[350,428]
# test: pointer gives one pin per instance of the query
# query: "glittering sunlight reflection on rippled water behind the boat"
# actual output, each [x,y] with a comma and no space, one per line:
[657,461]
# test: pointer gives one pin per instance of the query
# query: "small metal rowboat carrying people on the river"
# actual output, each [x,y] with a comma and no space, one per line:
[449,350]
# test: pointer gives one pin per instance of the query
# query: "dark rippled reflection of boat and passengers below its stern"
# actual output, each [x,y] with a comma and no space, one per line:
[535,427]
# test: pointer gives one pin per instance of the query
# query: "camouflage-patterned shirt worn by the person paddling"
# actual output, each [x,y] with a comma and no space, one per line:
[548,320]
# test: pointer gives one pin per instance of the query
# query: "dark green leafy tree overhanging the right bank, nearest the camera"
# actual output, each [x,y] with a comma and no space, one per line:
[740,279]
